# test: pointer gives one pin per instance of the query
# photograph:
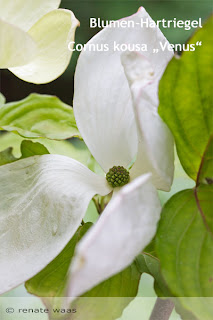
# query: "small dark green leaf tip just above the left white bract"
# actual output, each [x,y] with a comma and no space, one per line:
[29,149]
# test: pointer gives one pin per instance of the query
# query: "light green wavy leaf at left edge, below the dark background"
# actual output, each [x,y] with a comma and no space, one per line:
[39,116]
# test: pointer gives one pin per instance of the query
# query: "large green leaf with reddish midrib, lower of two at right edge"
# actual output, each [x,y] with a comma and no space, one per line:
[184,245]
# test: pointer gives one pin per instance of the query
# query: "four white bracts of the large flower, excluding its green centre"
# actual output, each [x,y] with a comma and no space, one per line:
[44,198]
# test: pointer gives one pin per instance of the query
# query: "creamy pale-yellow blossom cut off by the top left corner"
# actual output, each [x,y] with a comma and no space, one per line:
[34,38]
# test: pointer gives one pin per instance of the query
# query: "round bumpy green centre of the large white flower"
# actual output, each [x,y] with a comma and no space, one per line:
[117,176]
